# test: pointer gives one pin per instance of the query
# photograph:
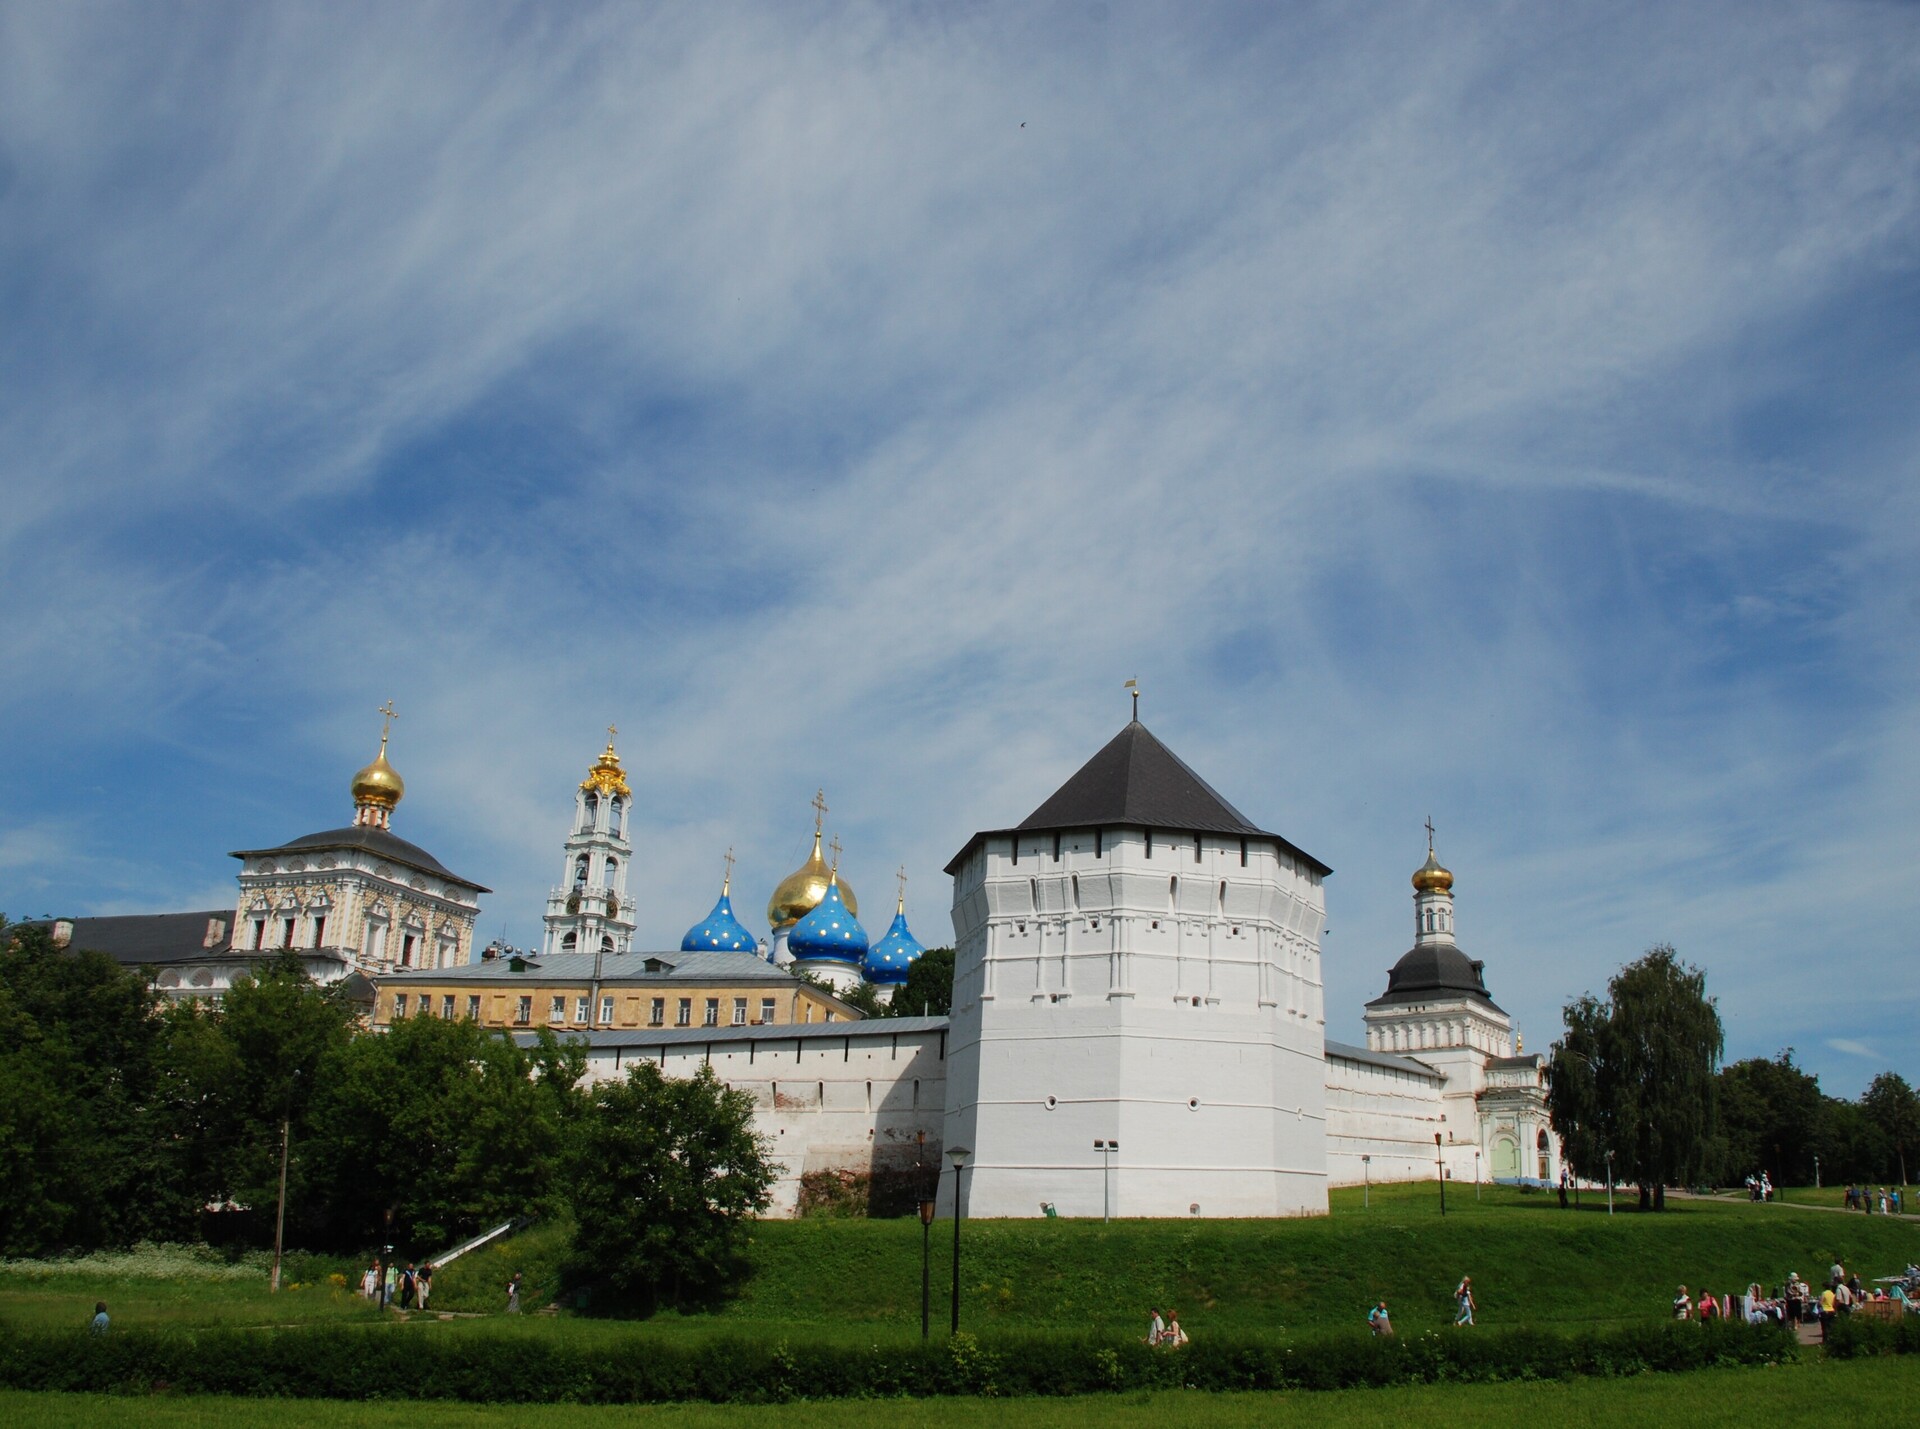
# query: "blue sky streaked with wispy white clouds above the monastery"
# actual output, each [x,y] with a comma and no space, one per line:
[1506,416]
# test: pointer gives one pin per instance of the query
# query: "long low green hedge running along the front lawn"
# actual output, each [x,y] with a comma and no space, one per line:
[341,1363]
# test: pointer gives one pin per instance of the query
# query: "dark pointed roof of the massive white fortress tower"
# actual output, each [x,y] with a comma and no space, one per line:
[1138,783]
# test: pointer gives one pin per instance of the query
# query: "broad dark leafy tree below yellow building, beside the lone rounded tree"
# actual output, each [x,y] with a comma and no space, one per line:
[429,1132]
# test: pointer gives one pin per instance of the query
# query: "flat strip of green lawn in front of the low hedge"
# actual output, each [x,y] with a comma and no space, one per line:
[1877,1392]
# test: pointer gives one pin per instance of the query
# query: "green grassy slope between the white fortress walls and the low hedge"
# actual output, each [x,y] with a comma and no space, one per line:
[1529,1259]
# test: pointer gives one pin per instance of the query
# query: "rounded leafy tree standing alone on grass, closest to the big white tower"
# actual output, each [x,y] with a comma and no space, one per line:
[663,1175]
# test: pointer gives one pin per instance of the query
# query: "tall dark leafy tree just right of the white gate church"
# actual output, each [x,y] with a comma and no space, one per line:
[1635,1075]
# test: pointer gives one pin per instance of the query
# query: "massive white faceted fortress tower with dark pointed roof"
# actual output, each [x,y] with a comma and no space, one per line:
[1138,965]
